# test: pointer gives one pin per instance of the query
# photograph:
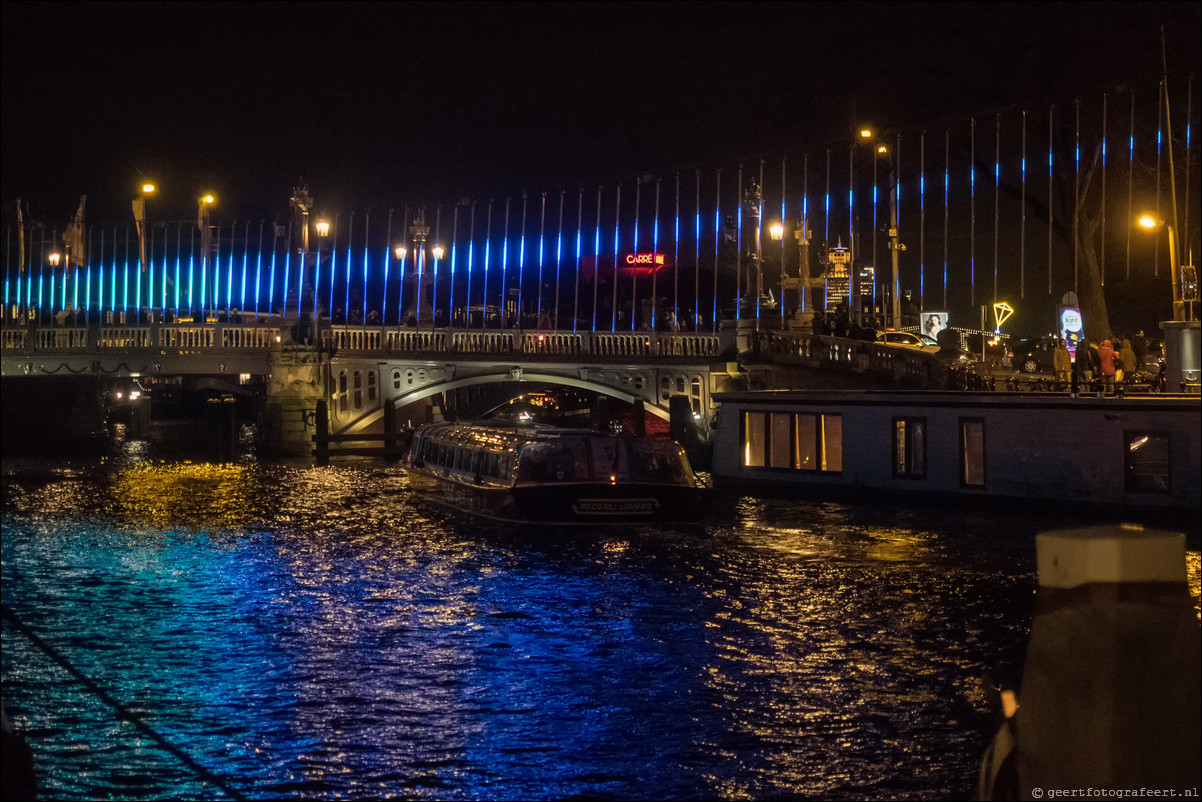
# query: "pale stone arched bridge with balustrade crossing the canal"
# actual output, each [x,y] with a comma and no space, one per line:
[362,371]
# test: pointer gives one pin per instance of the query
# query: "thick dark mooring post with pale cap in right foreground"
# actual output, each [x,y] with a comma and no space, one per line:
[1111,687]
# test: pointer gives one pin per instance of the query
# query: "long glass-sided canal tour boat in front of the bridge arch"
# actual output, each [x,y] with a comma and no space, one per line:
[534,473]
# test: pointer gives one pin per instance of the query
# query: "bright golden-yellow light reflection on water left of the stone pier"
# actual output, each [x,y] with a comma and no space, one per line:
[164,495]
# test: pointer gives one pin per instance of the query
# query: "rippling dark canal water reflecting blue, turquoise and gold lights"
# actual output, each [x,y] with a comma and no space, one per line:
[319,633]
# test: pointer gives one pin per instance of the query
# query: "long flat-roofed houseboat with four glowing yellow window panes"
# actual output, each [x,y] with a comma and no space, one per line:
[1010,448]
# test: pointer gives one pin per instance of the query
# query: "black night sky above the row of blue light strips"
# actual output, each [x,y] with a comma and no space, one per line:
[379,104]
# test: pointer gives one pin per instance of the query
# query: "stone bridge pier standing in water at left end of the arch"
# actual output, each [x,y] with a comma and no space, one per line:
[295,385]
